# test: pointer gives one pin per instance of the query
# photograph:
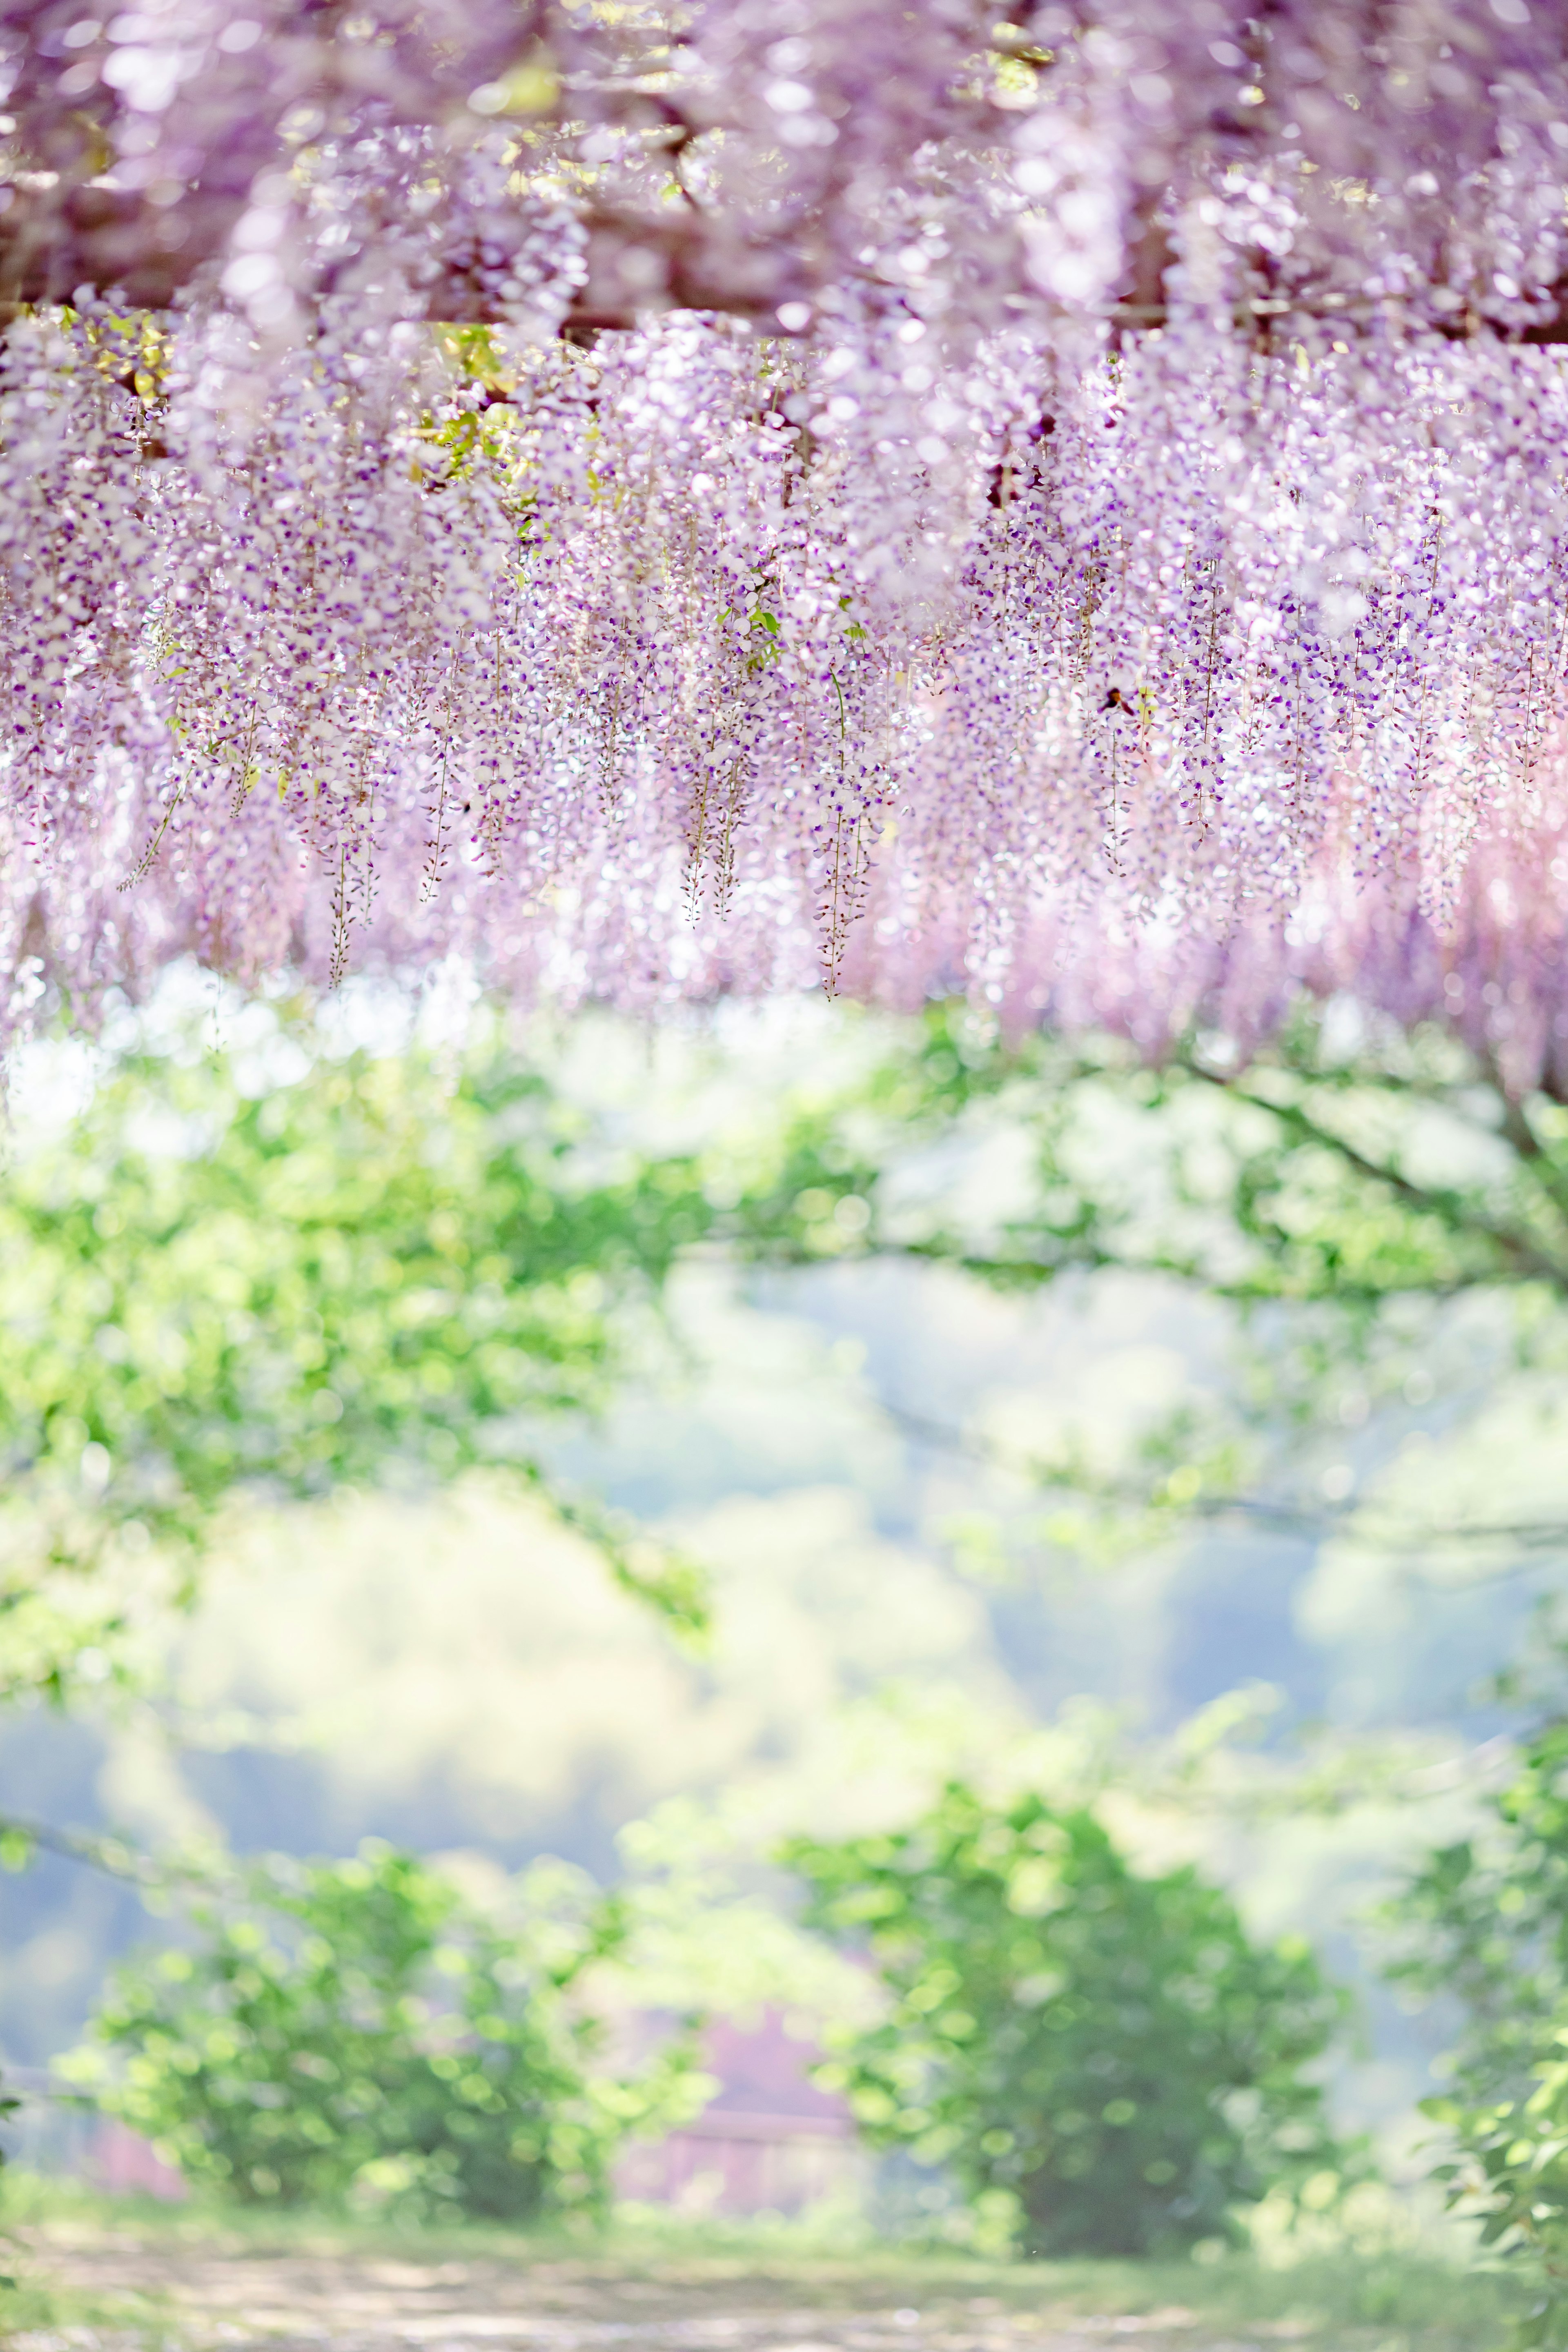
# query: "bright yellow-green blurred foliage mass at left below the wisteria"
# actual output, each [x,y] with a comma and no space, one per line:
[373,1269]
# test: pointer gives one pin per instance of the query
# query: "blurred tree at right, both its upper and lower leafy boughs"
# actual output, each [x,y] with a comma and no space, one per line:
[1348,1191]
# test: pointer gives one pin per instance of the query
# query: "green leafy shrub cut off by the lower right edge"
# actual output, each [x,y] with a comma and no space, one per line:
[1487,1923]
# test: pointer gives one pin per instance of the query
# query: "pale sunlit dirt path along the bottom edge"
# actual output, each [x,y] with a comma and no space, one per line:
[126,2290]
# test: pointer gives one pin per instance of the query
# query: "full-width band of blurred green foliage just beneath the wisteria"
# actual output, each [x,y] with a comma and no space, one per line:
[387,1267]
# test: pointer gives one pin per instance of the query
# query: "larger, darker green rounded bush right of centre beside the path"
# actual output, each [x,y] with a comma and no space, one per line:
[1104,2062]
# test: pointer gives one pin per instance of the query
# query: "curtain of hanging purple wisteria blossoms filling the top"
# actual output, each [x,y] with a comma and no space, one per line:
[1064,502]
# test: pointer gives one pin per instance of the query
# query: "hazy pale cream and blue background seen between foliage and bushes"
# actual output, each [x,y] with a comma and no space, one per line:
[845,1448]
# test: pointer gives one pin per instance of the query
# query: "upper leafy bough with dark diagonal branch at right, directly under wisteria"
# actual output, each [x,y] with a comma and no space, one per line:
[1351,1163]
